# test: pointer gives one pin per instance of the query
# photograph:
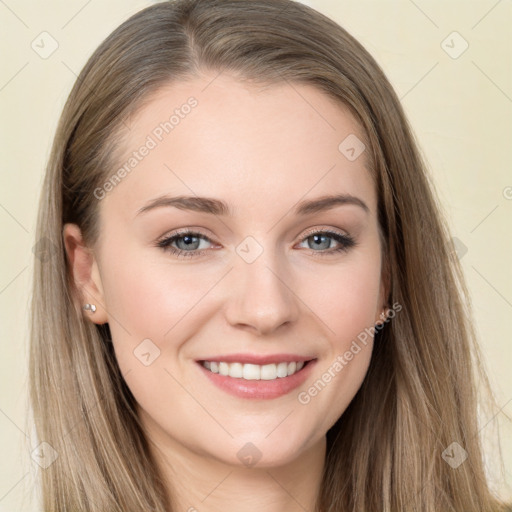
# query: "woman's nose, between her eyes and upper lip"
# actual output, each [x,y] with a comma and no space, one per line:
[260,295]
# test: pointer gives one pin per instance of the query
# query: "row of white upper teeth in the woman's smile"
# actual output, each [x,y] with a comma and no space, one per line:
[254,371]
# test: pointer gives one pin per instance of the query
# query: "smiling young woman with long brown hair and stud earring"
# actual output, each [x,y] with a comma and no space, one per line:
[252,302]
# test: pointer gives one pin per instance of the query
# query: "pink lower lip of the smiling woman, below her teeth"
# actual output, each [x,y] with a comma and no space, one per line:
[259,389]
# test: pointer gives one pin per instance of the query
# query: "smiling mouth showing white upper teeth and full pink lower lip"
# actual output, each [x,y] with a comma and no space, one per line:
[257,381]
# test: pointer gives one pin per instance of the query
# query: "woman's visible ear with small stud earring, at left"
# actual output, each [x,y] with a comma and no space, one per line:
[85,273]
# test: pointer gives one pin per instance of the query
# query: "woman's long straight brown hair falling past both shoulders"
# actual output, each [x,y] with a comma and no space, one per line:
[421,391]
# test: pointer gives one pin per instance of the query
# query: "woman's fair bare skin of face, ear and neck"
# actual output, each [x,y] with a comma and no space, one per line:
[261,150]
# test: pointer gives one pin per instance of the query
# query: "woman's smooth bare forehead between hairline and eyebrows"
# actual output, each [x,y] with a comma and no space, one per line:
[258,146]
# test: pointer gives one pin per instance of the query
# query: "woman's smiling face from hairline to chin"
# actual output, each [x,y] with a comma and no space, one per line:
[266,273]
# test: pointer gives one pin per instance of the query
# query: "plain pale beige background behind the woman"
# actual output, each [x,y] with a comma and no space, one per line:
[460,109]
